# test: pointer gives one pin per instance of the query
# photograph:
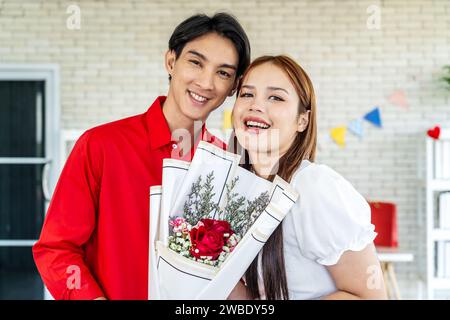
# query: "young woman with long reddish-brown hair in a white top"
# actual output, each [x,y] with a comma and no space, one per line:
[324,247]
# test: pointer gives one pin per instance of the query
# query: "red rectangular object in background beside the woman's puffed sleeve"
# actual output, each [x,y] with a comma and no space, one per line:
[384,218]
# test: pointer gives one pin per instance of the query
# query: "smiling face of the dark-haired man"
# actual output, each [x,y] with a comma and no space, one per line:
[202,76]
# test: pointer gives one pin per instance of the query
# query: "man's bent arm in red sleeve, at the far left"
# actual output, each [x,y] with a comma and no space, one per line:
[69,223]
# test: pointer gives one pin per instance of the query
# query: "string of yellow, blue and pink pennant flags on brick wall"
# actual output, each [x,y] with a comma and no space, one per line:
[356,126]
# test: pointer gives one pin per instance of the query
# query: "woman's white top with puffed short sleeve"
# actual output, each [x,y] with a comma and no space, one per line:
[329,218]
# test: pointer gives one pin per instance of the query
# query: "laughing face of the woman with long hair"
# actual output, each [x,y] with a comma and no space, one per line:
[265,115]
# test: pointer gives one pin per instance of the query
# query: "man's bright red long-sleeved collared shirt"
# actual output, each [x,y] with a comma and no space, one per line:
[94,241]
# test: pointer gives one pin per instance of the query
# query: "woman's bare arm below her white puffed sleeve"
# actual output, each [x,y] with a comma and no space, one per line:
[358,275]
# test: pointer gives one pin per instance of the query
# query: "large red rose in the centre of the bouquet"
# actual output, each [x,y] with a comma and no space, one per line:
[208,239]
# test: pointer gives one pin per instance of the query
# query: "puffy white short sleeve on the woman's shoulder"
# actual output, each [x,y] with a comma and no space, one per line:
[331,217]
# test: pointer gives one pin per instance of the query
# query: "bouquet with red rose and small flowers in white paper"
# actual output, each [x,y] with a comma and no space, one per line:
[208,221]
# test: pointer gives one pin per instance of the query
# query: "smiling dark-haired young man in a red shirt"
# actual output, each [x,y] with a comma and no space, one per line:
[94,242]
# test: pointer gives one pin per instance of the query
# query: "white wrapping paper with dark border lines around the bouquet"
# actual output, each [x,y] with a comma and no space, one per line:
[172,276]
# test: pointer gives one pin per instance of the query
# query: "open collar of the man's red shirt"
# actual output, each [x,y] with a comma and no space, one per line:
[158,129]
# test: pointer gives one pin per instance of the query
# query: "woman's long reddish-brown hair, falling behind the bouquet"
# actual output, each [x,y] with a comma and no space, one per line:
[303,147]
